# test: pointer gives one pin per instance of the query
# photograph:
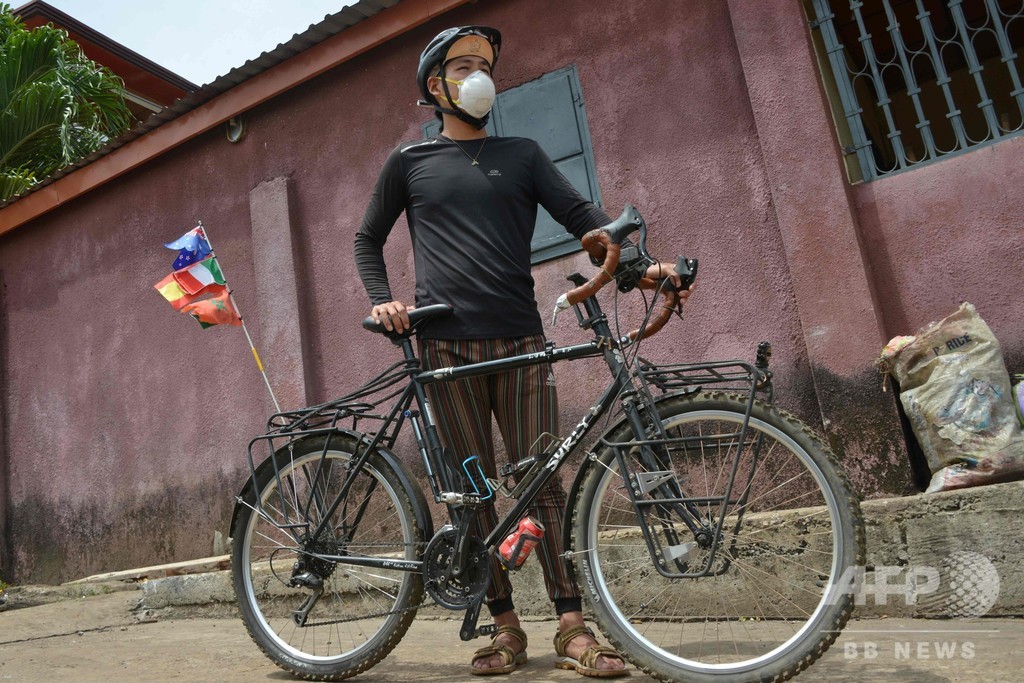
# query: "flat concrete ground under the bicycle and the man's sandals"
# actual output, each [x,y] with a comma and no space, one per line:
[104,638]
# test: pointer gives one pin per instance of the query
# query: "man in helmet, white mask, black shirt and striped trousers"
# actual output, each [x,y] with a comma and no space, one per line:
[472,204]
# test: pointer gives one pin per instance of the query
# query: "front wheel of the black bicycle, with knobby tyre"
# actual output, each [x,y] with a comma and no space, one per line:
[783,599]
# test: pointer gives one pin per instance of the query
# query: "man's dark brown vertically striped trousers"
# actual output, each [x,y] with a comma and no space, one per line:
[525,406]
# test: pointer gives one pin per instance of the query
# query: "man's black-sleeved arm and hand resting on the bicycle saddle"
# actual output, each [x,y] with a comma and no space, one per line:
[387,204]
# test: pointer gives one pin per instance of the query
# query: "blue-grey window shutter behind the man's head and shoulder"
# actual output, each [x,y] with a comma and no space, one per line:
[549,111]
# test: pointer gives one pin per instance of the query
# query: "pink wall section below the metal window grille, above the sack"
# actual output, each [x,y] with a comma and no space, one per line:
[949,233]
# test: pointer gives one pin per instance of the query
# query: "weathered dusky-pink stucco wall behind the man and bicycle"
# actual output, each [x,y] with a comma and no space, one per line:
[126,424]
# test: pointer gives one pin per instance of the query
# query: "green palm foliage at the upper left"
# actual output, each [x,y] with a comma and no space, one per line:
[56,106]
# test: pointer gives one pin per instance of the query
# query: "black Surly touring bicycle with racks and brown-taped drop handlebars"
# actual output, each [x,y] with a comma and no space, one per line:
[709,531]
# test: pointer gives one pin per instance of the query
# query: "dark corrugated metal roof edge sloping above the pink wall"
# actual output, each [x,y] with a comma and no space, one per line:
[317,33]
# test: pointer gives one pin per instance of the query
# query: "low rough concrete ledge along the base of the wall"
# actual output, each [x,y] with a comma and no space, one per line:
[905,535]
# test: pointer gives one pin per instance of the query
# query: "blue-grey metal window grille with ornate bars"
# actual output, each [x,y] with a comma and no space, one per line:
[921,79]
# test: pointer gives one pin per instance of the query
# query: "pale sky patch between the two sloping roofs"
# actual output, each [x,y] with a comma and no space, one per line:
[199,39]
